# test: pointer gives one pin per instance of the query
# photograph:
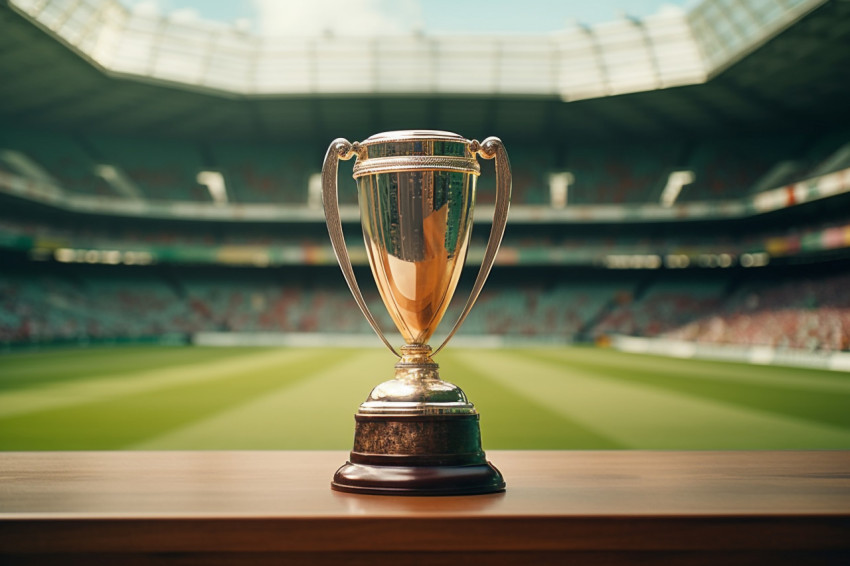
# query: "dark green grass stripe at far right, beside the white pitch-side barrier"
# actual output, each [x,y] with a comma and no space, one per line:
[734,386]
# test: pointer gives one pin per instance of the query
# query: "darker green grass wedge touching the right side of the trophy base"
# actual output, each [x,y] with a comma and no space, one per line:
[509,418]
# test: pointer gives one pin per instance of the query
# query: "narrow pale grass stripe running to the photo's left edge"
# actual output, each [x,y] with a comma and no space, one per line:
[104,387]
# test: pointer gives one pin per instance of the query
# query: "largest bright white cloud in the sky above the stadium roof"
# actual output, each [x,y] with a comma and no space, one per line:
[363,18]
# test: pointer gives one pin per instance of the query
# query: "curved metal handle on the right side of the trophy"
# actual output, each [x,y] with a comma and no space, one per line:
[490,148]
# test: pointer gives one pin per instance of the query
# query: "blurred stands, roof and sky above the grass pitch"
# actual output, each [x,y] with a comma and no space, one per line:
[681,171]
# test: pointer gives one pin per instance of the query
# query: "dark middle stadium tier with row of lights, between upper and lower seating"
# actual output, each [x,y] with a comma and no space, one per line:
[107,240]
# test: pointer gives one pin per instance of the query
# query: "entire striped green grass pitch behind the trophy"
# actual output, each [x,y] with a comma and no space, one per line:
[264,398]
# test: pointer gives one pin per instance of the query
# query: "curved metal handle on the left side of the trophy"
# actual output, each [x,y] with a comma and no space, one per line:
[341,148]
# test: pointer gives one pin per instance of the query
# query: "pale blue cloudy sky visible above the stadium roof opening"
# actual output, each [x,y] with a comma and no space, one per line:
[371,17]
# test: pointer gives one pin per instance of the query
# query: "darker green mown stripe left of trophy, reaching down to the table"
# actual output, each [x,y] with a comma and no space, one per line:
[120,421]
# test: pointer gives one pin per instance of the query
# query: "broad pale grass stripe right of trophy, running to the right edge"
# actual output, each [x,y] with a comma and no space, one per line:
[645,417]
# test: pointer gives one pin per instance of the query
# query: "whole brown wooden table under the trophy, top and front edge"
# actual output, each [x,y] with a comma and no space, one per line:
[260,508]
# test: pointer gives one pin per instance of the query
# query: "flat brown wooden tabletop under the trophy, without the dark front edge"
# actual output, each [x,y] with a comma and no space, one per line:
[540,483]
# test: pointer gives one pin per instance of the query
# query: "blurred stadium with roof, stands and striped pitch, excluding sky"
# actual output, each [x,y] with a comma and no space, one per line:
[680,187]
